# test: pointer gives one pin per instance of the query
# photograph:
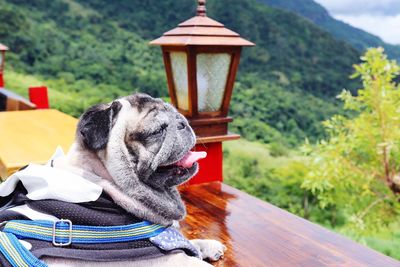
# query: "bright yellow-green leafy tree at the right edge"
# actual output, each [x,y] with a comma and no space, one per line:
[357,169]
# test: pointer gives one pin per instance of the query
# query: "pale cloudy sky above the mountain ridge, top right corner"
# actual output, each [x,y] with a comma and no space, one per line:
[379,17]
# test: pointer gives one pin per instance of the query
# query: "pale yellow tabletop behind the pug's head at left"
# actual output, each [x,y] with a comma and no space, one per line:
[32,137]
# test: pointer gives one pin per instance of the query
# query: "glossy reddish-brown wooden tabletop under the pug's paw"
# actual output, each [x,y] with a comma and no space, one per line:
[259,234]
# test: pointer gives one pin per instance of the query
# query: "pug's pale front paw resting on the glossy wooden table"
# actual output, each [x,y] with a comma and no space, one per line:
[212,250]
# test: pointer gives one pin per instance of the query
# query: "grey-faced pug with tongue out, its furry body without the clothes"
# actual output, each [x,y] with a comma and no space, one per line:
[137,148]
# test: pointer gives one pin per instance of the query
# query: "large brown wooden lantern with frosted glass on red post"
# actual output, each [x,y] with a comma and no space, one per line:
[201,59]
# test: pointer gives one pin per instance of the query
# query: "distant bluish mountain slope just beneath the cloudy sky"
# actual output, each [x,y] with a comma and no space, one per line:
[341,30]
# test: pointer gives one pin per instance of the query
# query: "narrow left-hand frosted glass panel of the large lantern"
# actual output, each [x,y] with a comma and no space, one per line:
[180,76]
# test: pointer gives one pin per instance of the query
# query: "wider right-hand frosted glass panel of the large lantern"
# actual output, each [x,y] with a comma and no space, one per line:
[212,76]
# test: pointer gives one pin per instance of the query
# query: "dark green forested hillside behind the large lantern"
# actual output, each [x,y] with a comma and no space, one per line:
[97,50]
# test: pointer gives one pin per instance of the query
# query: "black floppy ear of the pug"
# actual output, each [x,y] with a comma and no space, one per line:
[95,125]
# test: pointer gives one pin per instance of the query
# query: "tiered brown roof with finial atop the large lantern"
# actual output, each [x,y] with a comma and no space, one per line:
[201,30]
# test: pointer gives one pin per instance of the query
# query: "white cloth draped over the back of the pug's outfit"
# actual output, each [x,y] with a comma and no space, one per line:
[45,182]
